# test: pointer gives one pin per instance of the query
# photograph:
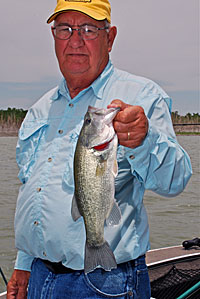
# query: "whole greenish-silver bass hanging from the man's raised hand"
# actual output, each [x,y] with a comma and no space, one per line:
[95,169]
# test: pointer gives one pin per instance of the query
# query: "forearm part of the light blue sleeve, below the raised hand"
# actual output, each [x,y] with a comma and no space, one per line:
[160,163]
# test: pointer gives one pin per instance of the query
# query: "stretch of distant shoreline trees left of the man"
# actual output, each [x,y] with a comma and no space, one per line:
[12,117]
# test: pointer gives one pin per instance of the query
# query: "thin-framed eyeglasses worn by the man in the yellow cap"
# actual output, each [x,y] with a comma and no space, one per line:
[87,32]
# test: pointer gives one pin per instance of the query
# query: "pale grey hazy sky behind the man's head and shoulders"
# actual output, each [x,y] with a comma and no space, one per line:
[156,39]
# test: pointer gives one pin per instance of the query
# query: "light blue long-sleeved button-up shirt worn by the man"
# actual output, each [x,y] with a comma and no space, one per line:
[44,227]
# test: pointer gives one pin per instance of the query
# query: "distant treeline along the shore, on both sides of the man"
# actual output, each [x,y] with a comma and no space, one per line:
[14,117]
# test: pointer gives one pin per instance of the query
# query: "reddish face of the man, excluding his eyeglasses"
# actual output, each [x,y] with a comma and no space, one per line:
[78,57]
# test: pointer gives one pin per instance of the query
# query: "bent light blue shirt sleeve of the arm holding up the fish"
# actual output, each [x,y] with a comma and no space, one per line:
[160,163]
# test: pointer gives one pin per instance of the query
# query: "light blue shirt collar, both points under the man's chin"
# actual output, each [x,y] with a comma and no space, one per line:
[98,85]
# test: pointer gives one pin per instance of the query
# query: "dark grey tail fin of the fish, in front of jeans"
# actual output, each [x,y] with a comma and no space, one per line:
[99,256]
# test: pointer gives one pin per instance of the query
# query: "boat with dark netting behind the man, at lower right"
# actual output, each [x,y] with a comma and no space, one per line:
[174,271]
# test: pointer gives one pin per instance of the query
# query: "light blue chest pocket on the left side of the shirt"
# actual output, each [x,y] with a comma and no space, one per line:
[28,147]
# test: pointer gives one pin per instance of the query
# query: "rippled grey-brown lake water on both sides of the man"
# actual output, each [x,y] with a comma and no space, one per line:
[172,220]
